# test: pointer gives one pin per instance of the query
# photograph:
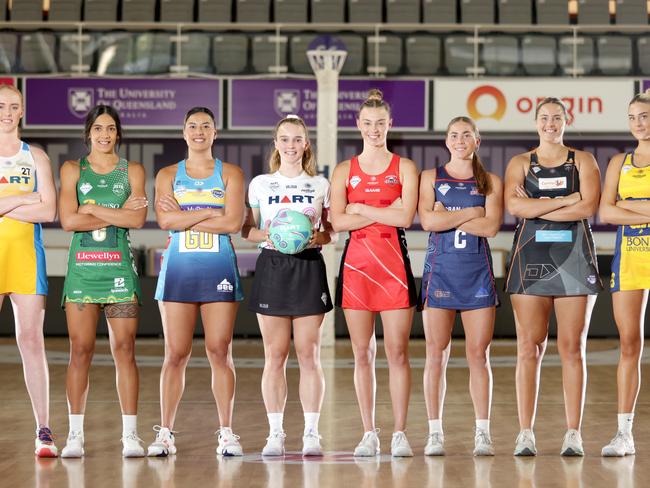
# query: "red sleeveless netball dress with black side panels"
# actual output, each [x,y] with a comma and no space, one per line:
[375,271]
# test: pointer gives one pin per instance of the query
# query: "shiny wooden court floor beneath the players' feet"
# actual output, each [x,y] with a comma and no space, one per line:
[197,465]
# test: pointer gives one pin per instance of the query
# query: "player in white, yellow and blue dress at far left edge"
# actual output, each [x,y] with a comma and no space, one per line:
[27,198]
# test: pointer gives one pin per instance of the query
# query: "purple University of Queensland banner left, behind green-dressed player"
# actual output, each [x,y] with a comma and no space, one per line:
[142,103]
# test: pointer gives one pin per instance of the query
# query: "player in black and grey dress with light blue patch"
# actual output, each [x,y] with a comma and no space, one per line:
[553,190]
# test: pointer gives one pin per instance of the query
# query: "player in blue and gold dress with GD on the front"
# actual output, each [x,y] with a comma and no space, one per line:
[200,200]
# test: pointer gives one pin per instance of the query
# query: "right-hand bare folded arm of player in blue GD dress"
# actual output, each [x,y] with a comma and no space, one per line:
[232,218]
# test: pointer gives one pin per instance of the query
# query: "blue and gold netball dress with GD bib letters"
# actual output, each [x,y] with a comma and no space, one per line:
[199,266]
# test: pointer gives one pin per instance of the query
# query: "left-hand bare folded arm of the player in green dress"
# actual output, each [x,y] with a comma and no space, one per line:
[71,219]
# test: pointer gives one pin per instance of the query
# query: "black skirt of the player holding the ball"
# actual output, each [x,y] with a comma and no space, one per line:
[290,284]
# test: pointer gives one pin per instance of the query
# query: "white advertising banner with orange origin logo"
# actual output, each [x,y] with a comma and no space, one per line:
[594,105]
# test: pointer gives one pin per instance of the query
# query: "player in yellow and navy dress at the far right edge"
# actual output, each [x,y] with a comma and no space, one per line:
[626,202]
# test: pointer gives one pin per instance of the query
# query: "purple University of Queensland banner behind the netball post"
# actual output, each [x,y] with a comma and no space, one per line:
[259,104]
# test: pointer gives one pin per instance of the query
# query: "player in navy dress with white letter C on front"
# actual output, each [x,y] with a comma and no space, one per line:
[461,204]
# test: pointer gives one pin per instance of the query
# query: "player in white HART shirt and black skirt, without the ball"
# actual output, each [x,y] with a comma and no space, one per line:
[290,292]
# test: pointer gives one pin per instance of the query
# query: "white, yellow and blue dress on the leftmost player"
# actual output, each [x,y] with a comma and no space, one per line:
[22,257]
